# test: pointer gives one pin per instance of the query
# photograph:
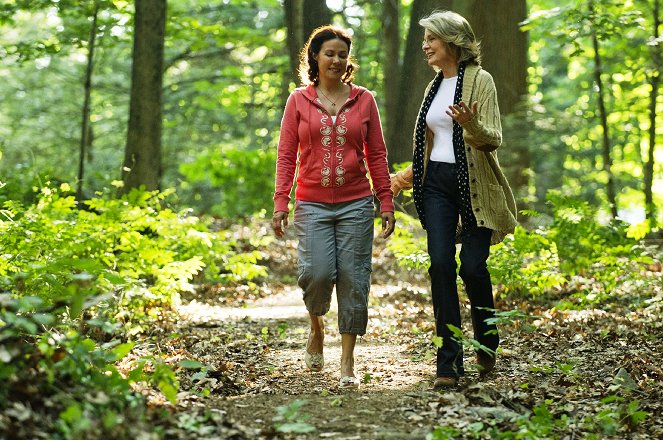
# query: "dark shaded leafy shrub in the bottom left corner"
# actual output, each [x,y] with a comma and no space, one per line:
[51,368]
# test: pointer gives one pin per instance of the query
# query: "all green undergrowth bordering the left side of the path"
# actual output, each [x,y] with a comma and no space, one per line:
[79,286]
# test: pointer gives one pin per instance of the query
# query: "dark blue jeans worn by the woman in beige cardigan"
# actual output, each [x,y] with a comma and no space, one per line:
[442,208]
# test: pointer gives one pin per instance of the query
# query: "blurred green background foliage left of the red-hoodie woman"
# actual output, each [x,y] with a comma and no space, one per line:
[222,91]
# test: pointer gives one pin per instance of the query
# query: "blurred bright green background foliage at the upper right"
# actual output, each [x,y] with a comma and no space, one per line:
[563,112]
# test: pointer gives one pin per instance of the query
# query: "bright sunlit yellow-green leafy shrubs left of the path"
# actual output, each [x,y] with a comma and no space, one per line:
[134,247]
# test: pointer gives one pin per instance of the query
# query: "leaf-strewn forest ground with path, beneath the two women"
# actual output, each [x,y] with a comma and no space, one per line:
[572,370]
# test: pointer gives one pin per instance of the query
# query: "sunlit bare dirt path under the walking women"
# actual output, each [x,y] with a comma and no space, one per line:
[387,405]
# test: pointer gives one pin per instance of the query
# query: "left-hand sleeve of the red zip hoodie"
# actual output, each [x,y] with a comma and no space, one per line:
[286,156]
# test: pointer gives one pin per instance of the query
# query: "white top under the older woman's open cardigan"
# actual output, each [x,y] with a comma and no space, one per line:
[440,123]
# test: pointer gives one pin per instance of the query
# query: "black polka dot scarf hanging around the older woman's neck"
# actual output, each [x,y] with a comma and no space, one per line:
[467,217]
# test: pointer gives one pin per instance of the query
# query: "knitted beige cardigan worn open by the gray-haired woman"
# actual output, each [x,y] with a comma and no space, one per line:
[492,199]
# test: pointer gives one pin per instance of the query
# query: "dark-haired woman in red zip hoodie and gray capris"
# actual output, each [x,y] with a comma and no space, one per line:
[331,137]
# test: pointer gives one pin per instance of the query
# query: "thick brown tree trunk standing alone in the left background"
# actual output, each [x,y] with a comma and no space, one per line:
[142,160]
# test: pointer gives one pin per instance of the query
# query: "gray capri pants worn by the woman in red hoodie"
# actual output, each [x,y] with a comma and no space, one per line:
[335,248]
